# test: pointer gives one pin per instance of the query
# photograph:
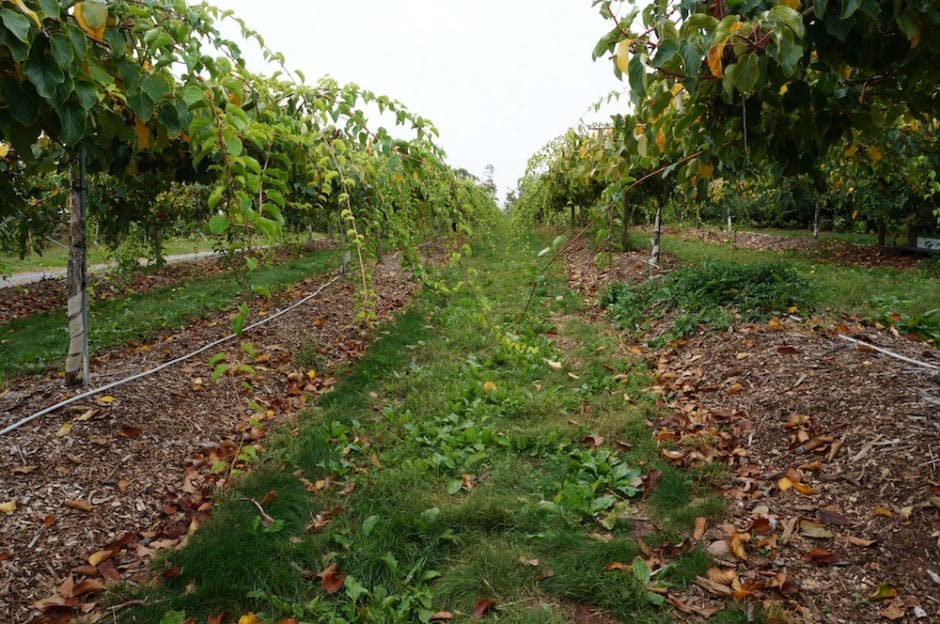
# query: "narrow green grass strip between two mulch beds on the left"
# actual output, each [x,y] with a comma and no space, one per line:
[31,344]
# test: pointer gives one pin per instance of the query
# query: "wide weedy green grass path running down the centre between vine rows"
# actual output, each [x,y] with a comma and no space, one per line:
[456,467]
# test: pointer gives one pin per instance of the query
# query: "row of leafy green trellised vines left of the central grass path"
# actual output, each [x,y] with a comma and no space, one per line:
[149,93]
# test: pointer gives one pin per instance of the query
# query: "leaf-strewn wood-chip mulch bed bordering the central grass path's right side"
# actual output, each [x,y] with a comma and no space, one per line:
[832,454]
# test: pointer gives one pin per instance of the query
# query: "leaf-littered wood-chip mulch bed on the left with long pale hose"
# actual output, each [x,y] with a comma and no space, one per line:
[102,486]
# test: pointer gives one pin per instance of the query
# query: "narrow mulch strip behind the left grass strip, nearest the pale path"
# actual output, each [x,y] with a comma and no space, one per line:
[49,294]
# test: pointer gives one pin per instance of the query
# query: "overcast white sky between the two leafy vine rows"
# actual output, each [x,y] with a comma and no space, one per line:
[499,78]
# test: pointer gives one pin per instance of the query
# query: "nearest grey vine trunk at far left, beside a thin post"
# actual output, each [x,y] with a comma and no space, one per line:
[76,362]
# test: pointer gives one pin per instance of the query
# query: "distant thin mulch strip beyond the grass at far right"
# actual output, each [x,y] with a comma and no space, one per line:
[834,251]
